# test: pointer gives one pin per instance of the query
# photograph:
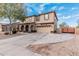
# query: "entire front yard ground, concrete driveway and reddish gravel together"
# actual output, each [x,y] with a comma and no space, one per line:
[35,44]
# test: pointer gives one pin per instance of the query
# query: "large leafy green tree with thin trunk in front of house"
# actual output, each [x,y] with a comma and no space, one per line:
[12,11]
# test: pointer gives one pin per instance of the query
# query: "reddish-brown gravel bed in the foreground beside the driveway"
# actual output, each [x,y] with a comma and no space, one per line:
[66,48]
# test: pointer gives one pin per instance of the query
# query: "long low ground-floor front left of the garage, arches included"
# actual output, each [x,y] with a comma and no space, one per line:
[19,27]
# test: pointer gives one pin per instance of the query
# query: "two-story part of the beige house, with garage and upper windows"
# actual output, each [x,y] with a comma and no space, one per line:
[42,23]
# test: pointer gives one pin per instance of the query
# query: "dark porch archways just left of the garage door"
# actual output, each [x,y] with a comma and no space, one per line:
[27,27]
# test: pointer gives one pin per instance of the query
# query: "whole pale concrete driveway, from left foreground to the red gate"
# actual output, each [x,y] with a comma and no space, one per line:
[16,46]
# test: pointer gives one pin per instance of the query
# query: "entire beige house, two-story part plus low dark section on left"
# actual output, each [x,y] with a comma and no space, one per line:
[42,23]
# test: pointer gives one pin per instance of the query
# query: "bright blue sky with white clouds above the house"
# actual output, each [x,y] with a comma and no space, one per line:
[66,12]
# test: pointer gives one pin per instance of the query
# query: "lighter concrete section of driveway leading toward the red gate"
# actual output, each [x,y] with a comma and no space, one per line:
[54,38]
